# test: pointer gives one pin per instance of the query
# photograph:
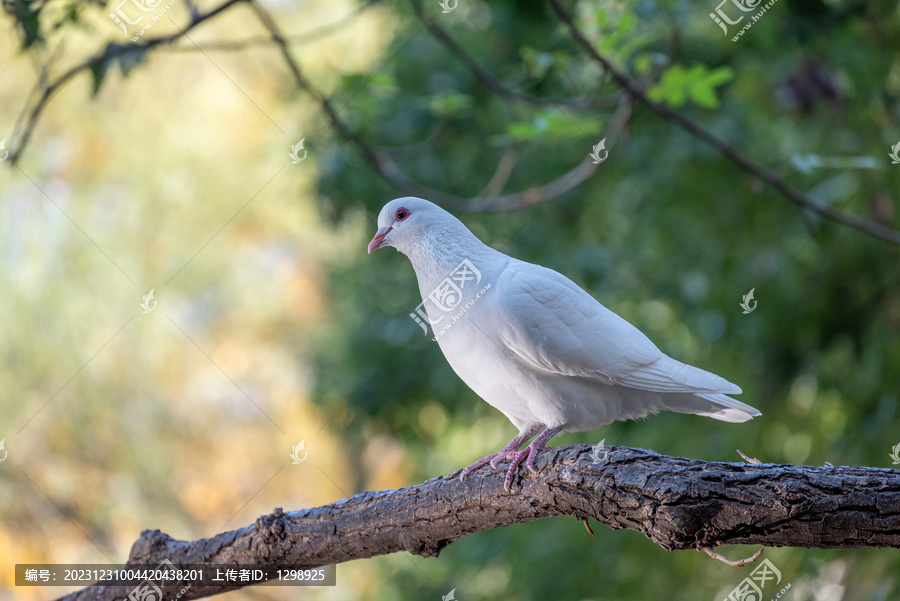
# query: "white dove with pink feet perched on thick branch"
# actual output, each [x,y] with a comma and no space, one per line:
[533,344]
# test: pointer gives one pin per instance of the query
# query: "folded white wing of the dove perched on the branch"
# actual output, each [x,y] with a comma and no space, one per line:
[552,325]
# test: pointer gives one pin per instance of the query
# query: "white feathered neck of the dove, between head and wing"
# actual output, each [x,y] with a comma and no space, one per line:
[444,247]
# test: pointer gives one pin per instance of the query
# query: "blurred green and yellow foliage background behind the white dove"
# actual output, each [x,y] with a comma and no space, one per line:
[169,170]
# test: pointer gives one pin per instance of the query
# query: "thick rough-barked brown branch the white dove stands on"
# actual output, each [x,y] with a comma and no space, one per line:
[680,504]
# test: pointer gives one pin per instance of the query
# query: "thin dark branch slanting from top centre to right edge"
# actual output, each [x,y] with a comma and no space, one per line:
[770,177]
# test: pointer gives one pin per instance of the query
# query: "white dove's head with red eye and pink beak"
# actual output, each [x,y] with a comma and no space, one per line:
[410,222]
